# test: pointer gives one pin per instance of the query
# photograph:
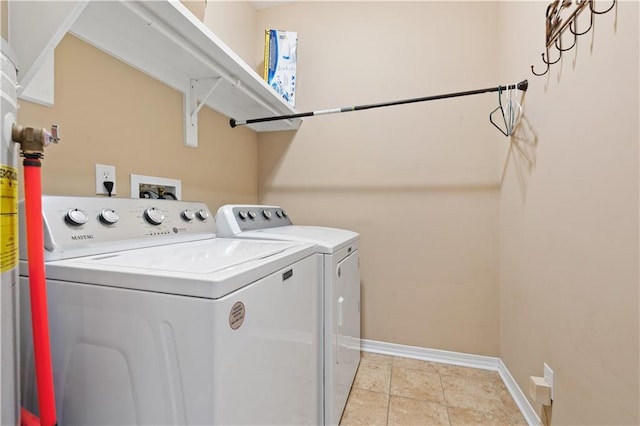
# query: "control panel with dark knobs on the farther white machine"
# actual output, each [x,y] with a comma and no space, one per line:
[233,219]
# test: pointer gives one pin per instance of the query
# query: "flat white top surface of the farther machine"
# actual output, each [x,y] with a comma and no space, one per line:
[329,240]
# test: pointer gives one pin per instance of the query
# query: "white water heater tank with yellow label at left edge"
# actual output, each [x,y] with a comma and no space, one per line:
[9,338]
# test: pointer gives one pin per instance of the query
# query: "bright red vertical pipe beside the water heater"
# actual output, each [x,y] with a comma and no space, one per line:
[37,289]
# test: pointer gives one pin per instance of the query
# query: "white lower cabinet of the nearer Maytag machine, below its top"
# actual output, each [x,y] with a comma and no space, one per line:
[125,357]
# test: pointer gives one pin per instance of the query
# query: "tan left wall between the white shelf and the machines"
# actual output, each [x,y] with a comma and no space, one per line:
[110,113]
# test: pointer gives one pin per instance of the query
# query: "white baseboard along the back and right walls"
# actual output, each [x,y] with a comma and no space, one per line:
[461,359]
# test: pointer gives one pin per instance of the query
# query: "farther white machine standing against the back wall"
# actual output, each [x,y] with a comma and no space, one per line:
[339,298]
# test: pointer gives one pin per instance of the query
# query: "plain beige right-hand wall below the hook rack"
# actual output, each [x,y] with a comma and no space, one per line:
[569,218]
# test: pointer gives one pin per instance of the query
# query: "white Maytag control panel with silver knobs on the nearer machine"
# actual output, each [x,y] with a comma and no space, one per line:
[82,226]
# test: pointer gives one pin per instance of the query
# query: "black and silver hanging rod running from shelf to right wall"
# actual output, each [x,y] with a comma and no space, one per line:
[520,86]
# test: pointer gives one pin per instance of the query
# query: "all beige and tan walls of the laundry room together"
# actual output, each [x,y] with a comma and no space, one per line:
[530,254]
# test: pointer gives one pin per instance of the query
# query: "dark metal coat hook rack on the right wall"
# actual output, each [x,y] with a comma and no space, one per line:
[557,25]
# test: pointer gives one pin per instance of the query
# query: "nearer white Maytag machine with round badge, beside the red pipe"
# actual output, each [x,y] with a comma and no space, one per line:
[154,321]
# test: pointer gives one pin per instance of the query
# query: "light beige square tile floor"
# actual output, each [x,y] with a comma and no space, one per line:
[390,390]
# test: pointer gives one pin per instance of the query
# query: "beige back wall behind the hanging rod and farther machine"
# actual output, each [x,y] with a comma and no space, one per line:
[418,182]
